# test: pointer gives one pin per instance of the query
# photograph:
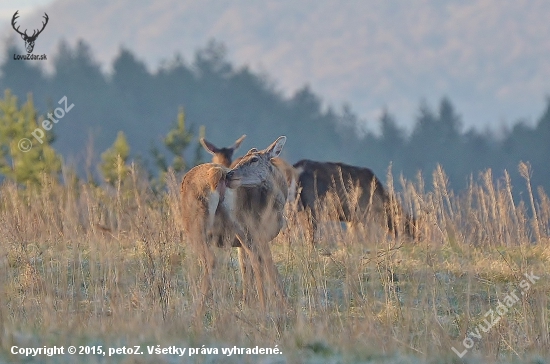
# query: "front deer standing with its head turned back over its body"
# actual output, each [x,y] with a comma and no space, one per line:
[240,207]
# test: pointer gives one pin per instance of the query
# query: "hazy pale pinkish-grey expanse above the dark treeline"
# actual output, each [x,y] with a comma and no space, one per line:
[490,57]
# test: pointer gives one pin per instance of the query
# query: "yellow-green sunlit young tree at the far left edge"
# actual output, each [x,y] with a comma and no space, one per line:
[25,150]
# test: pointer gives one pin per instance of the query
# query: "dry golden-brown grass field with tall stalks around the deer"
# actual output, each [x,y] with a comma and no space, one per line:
[88,266]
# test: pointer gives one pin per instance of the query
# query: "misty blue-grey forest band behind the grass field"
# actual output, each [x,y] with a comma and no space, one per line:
[224,101]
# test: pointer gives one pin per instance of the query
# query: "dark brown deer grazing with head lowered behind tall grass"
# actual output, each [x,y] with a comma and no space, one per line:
[355,191]
